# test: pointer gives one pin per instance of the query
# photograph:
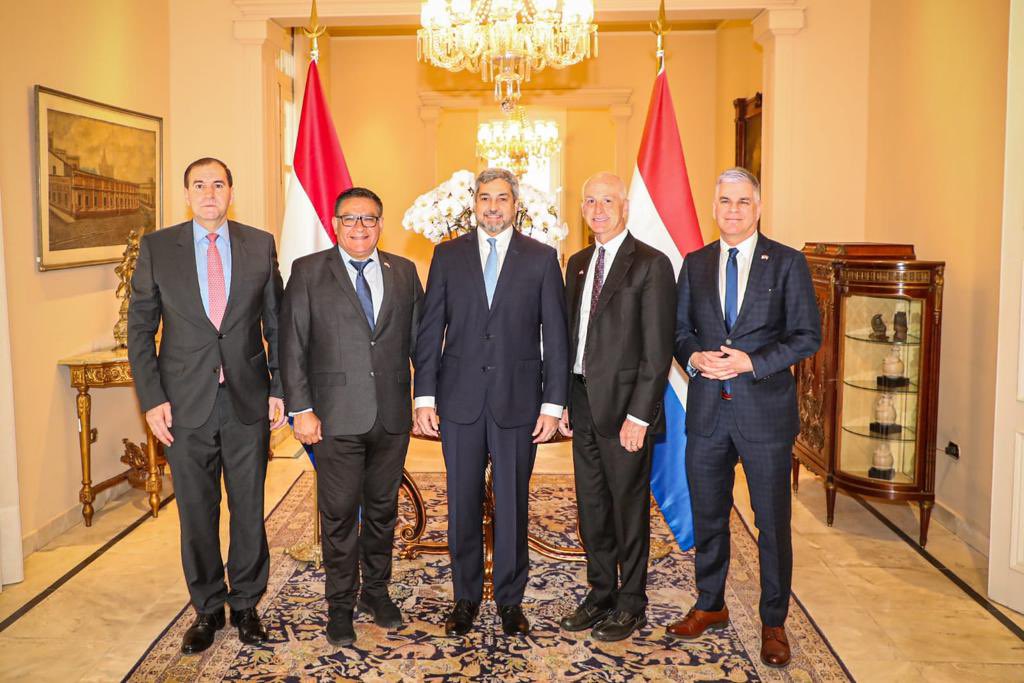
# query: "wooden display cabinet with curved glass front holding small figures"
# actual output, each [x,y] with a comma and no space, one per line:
[869,399]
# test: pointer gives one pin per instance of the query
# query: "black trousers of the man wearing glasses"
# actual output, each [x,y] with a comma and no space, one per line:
[358,481]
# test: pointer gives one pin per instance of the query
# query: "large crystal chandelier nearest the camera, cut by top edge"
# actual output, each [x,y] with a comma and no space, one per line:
[506,40]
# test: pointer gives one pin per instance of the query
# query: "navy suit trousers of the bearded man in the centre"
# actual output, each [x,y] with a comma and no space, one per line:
[513,452]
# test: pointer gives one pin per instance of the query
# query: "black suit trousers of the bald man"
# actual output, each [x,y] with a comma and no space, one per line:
[613,488]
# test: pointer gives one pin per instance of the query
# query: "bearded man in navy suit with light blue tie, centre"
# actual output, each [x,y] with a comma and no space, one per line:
[482,367]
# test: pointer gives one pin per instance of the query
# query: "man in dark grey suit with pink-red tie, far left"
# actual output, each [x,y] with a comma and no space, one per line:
[212,392]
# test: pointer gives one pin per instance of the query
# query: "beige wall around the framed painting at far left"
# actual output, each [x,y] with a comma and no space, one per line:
[113,52]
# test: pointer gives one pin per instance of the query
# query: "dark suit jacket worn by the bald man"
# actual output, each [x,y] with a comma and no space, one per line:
[629,339]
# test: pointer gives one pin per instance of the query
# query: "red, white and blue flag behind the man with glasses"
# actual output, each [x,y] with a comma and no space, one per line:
[321,175]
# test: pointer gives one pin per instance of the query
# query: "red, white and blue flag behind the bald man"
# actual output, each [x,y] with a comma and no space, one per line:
[662,215]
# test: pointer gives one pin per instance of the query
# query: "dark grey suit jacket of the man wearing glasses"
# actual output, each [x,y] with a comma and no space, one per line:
[330,360]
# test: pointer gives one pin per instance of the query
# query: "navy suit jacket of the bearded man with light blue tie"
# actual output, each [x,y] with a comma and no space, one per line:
[493,358]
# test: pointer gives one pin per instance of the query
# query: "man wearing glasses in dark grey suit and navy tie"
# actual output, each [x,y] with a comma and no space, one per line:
[349,325]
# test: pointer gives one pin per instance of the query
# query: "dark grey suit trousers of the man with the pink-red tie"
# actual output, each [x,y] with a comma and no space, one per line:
[222,446]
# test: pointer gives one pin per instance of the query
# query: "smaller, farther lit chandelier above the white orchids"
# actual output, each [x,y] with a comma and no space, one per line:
[516,143]
